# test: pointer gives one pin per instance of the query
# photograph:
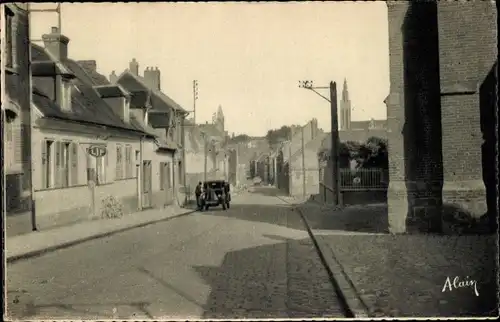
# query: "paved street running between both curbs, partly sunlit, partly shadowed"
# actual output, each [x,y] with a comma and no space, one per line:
[253,260]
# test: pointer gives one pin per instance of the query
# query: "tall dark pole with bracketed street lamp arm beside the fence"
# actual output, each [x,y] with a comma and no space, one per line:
[309,85]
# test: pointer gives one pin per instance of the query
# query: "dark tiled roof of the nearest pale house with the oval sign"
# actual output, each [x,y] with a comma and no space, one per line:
[87,106]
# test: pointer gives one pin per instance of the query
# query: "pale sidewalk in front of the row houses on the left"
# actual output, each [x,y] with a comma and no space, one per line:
[37,243]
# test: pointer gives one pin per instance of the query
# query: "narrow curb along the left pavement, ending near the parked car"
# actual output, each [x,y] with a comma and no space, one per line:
[40,252]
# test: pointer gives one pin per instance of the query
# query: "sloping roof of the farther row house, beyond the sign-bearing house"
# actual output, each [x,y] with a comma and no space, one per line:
[160,100]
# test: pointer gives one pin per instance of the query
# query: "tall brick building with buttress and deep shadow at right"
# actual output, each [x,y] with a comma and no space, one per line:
[441,111]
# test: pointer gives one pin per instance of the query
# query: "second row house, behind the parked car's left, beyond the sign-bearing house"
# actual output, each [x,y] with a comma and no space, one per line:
[162,115]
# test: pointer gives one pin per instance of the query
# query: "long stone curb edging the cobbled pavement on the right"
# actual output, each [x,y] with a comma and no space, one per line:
[350,300]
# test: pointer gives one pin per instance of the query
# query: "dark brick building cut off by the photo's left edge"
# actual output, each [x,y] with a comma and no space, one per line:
[16,115]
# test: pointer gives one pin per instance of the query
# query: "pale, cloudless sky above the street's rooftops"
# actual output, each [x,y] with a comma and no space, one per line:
[246,57]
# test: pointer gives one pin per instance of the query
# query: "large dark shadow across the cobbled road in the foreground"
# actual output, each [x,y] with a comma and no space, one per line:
[282,280]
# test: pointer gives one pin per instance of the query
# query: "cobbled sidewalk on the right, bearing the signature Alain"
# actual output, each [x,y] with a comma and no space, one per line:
[383,275]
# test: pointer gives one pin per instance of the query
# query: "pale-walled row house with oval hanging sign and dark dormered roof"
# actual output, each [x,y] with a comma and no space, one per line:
[75,112]
